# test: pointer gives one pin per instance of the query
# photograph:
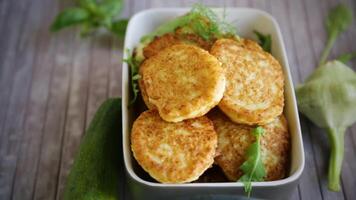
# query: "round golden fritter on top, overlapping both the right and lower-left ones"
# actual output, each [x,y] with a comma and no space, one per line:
[183,82]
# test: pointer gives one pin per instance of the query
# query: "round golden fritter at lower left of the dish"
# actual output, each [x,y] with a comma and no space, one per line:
[173,152]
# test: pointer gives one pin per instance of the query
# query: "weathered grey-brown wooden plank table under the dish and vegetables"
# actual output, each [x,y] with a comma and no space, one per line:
[51,85]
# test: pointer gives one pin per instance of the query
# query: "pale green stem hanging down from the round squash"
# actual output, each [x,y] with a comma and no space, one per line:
[336,138]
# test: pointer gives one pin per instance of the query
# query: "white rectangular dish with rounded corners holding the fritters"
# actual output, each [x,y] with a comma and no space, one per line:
[246,20]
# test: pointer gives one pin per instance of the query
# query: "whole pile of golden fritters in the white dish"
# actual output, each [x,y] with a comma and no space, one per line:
[182,78]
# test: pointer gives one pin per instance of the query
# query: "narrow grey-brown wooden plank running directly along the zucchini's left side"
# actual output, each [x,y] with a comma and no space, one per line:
[76,110]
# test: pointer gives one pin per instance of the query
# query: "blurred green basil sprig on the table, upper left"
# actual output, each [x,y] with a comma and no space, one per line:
[92,15]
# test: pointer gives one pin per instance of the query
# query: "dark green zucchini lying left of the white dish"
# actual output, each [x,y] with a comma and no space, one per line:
[96,168]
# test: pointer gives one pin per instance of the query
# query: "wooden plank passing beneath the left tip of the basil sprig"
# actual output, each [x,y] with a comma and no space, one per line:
[49,156]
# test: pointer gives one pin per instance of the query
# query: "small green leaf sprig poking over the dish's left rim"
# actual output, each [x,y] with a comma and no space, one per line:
[134,76]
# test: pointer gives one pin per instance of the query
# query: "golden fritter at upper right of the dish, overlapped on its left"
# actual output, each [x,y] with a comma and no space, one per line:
[254,82]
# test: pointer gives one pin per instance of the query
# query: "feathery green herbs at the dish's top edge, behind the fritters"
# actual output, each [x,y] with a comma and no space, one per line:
[200,20]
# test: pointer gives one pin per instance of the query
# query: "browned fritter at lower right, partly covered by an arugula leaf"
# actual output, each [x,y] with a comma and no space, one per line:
[234,140]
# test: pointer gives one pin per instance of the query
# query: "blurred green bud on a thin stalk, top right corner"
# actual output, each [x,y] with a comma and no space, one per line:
[338,20]
